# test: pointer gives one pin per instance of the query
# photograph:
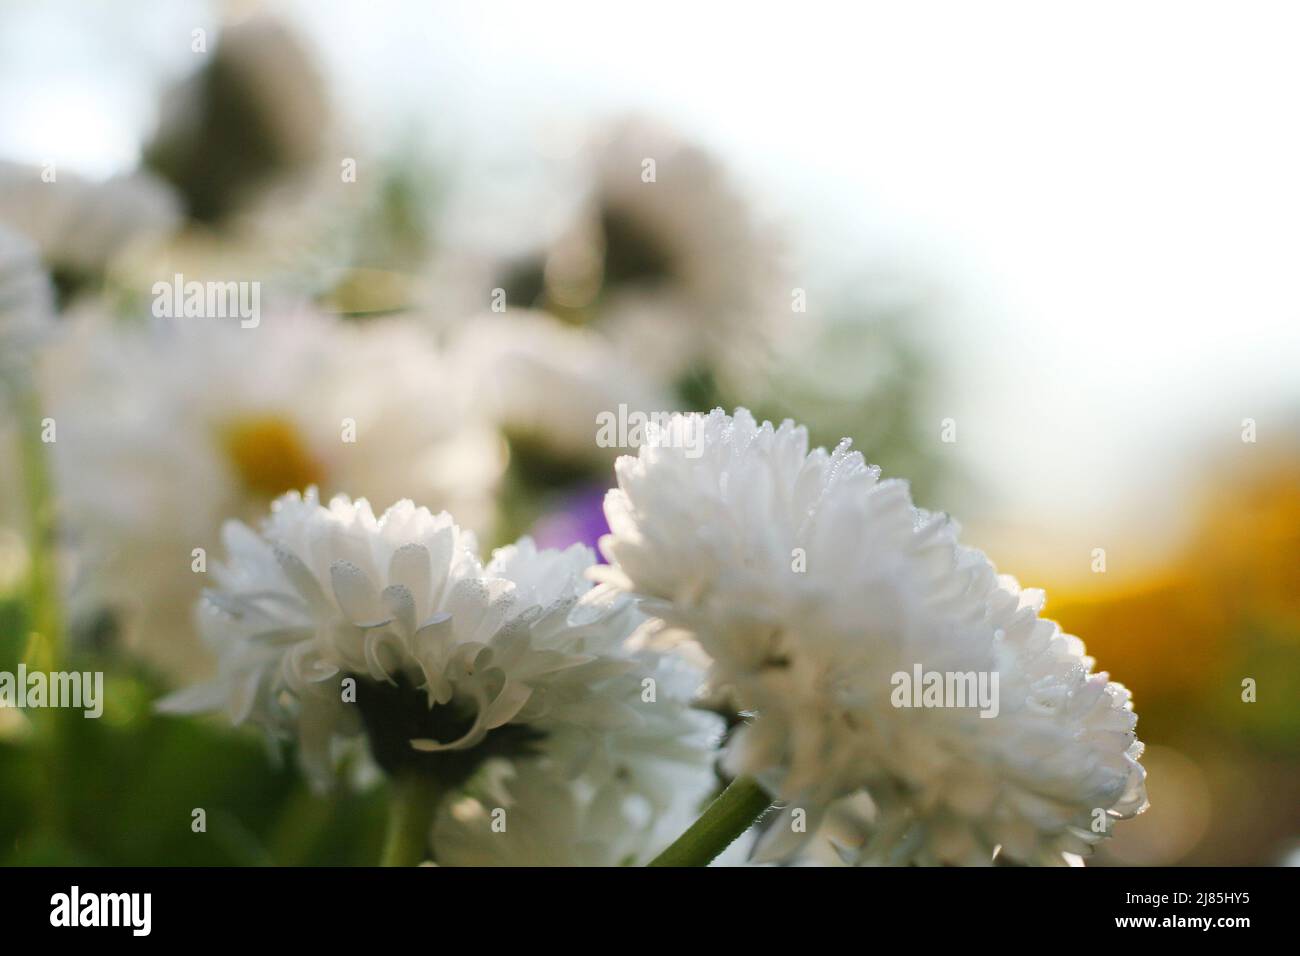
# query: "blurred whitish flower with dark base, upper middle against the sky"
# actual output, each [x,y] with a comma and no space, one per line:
[665,259]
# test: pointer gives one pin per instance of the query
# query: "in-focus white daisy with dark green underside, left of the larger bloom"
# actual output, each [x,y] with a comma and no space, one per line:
[454,663]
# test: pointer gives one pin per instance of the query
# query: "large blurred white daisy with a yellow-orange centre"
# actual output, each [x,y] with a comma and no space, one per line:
[168,430]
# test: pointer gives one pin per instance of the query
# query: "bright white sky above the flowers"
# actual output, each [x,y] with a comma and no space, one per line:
[1108,192]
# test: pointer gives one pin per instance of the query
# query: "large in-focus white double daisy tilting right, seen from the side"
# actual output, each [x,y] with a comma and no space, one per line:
[812,585]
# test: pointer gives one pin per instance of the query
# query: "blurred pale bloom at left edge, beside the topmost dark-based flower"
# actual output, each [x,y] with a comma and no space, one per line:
[81,226]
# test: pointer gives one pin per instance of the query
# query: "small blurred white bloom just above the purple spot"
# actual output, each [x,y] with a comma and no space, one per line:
[548,382]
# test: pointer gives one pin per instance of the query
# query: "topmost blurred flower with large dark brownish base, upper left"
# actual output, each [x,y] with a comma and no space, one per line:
[244,141]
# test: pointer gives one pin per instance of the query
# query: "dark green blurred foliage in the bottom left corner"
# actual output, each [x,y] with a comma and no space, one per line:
[122,791]
